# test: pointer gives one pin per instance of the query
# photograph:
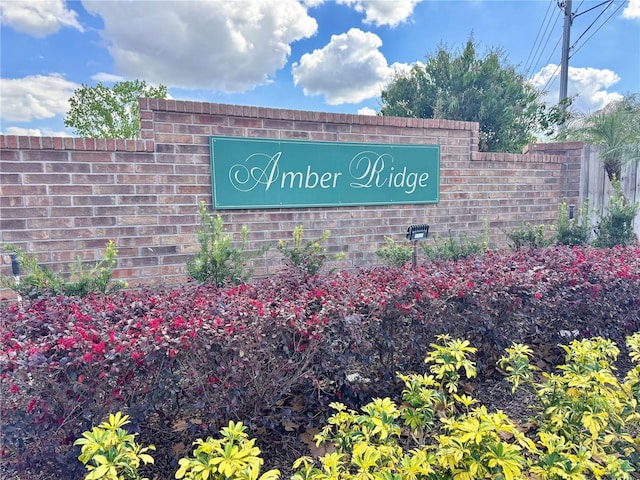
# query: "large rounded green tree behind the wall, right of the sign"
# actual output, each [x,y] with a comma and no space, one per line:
[462,86]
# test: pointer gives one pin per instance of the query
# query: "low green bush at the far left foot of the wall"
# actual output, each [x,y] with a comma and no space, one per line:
[38,280]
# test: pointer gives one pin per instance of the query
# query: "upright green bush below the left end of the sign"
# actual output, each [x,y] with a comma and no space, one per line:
[217,261]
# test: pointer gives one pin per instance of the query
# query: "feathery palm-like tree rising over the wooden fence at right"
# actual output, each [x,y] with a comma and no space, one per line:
[615,129]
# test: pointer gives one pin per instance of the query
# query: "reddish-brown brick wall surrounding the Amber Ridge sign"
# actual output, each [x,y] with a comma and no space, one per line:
[66,197]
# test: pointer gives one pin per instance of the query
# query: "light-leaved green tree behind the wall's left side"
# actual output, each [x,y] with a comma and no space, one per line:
[103,112]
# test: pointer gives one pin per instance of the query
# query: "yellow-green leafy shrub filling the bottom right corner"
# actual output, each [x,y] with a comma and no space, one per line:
[586,418]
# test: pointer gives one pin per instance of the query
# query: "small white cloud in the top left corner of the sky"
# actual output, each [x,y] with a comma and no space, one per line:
[38,18]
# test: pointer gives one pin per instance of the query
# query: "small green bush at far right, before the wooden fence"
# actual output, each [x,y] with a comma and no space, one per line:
[616,227]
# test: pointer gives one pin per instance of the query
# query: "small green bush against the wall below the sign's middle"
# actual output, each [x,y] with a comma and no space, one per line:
[307,256]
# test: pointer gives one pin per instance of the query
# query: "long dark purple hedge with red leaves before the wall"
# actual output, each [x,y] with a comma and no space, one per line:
[184,361]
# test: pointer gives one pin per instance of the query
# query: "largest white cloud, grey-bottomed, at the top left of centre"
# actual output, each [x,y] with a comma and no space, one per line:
[223,45]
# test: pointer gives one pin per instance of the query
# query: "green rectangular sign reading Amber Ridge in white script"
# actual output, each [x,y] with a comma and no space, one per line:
[262,173]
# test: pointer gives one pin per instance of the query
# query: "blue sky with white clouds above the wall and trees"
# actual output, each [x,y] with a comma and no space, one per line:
[301,54]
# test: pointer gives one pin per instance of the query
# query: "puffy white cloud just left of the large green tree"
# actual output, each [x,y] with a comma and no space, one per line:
[349,69]
